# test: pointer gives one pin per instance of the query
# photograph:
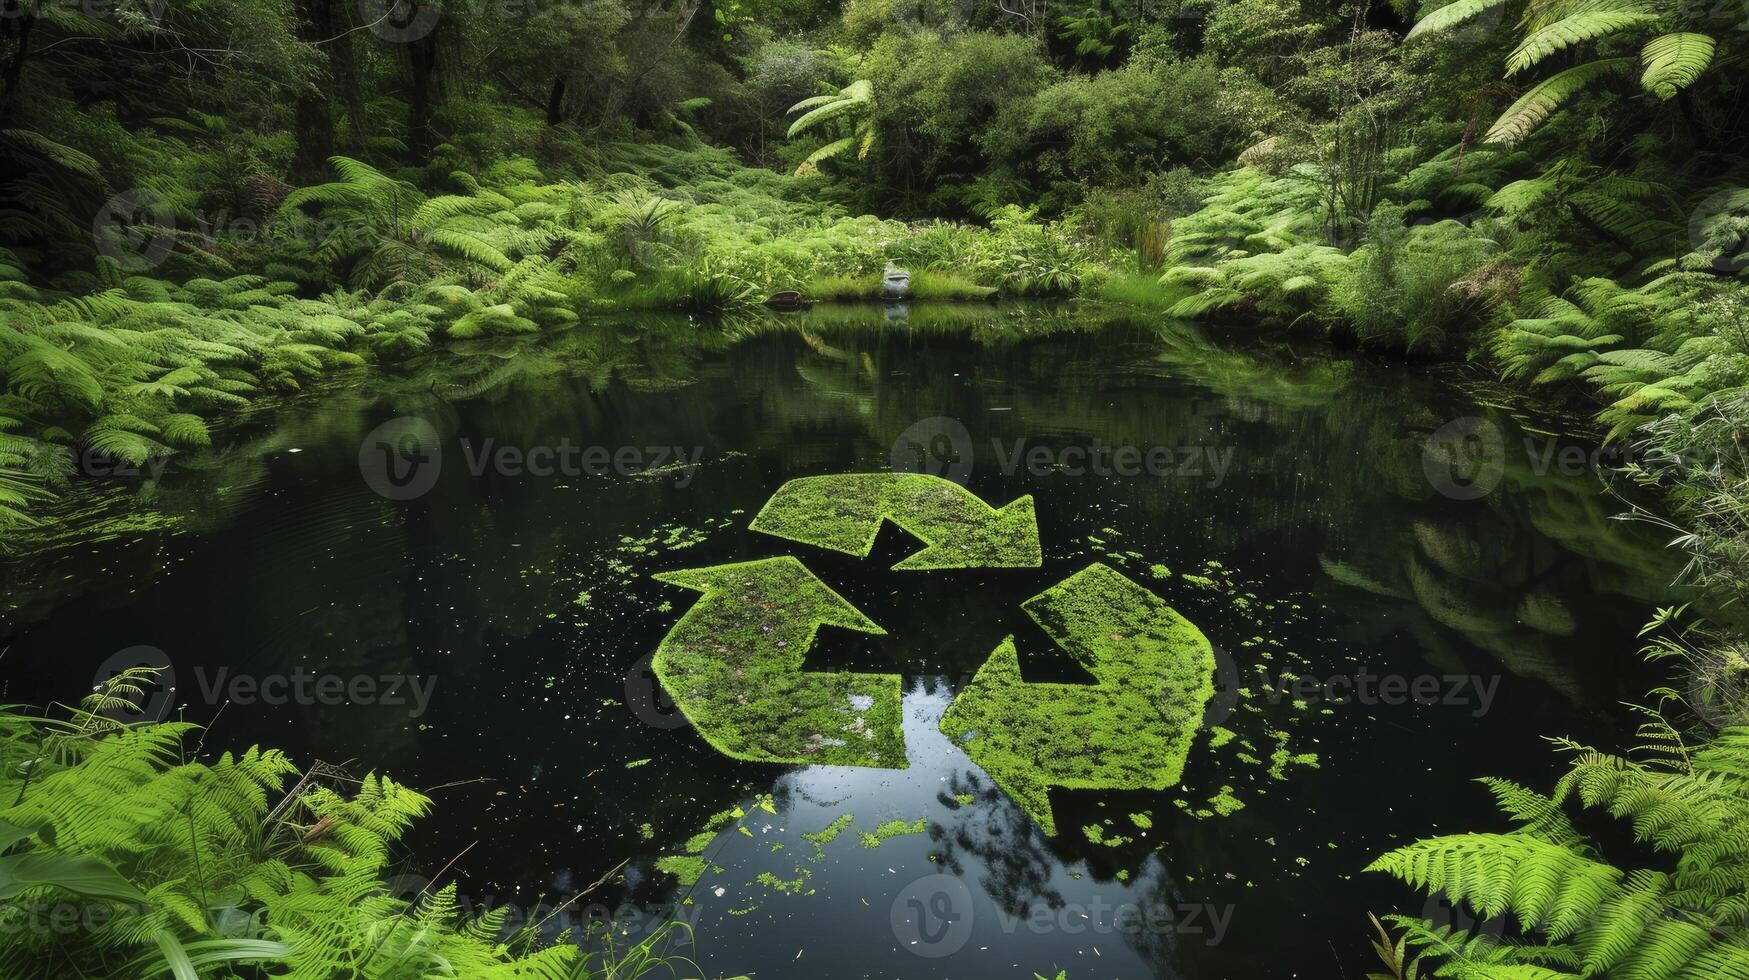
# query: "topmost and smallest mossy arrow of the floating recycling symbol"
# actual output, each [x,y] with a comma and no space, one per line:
[958,529]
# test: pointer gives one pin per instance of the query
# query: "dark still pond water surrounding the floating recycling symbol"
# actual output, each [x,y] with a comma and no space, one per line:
[480,626]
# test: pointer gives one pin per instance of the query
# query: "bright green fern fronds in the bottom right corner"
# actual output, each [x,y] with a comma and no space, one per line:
[1584,914]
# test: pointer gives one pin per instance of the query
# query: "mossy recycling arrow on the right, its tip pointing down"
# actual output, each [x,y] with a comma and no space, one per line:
[1131,731]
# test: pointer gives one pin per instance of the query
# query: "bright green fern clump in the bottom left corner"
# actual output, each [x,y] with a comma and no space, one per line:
[127,851]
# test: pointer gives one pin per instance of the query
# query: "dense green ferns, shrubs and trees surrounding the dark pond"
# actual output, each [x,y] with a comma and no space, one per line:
[214,202]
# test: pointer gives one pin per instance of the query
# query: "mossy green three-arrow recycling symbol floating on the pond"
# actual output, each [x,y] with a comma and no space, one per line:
[741,652]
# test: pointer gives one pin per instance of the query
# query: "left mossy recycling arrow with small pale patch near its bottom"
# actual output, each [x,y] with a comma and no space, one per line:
[734,668]
